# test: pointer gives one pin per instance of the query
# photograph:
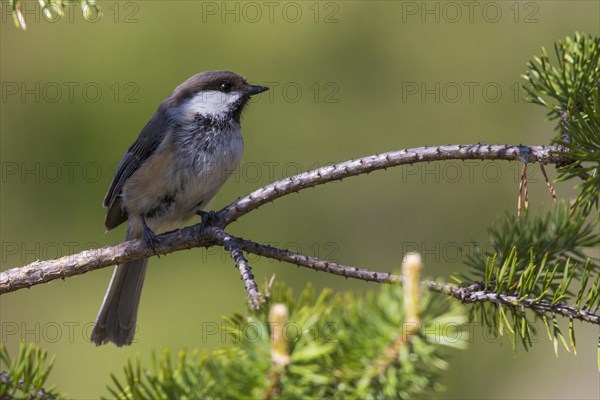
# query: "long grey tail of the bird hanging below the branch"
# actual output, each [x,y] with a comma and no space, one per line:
[118,313]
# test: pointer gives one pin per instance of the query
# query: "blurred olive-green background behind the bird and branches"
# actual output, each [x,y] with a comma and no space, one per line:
[348,79]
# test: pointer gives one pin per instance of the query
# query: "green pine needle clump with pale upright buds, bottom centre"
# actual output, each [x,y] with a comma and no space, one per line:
[318,346]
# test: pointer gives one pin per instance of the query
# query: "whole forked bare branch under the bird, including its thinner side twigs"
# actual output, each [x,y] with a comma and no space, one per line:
[211,234]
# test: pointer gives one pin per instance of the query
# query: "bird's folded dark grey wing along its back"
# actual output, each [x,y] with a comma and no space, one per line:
[143,147]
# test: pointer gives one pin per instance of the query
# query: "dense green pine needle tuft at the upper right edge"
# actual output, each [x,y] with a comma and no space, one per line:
[570,90]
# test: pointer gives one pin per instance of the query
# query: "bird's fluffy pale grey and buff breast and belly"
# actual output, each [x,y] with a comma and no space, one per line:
[183,175]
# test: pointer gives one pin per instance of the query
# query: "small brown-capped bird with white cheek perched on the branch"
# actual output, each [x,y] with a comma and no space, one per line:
[181,158]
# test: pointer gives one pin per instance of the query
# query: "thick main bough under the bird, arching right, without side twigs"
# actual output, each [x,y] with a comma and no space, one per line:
[197,236]
